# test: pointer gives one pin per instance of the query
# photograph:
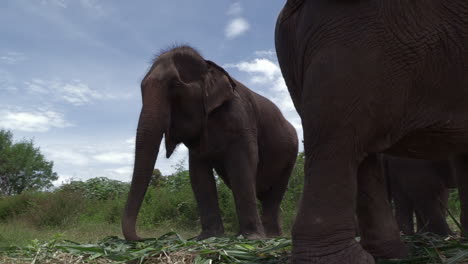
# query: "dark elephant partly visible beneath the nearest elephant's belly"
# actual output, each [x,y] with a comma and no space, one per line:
[421,187]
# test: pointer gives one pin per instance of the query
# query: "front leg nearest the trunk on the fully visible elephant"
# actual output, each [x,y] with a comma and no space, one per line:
[204,188]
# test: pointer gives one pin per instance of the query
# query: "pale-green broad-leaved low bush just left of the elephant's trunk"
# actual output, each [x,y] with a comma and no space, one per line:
[98,188]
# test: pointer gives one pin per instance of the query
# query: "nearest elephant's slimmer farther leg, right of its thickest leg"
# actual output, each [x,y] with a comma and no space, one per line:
[380,235]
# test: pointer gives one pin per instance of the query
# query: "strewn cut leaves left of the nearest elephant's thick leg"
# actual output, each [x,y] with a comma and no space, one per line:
[169,248]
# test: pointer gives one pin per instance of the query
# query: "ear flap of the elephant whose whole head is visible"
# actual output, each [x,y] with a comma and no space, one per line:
[219,87]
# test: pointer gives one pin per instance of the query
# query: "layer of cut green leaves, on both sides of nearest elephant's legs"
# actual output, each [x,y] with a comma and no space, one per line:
[172,248]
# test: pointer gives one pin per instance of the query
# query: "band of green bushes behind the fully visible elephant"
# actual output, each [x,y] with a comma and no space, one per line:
[168,202]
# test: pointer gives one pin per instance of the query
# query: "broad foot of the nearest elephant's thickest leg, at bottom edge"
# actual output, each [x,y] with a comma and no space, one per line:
[353,254]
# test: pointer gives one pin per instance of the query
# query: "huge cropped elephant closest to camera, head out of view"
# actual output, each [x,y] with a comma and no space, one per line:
[366,78]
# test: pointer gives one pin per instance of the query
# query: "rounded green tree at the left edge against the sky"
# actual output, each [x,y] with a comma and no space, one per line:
[22,166]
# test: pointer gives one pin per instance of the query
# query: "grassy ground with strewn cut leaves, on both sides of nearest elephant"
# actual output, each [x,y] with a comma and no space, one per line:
[21,242]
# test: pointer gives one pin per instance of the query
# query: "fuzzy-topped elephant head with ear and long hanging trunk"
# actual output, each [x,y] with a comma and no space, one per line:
[179,92]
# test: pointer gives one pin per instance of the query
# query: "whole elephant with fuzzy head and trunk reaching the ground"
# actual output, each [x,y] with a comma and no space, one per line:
[227,128]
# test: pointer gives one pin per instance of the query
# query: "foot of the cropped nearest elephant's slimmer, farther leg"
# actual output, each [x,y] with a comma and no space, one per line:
[394,249]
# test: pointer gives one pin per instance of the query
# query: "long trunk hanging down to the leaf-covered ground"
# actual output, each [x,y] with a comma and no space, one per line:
[151,127]
